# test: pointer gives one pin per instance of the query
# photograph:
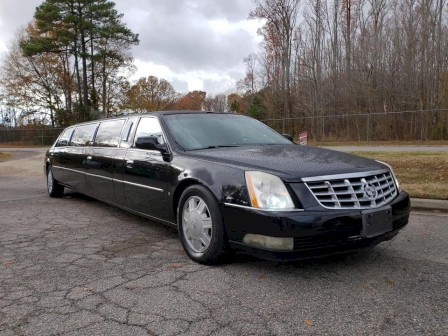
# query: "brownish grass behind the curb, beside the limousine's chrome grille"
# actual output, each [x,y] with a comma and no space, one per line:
[421,174]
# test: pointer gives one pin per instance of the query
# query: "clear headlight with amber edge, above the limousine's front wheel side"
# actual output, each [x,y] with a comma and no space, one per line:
[267,191]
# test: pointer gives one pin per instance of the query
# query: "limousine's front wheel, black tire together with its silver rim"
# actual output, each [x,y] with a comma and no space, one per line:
[200,225]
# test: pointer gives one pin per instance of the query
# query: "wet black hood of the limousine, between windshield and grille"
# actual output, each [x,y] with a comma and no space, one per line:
[290,162]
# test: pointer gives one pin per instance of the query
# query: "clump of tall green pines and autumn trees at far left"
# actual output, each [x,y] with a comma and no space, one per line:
[67,61]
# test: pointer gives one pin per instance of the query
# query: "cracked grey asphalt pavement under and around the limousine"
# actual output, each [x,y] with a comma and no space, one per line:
[76,266]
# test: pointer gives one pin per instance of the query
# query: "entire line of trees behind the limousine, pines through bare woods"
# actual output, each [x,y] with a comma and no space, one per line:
[320,61]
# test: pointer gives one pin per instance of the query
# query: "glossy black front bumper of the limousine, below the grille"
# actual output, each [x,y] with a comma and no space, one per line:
[315,233]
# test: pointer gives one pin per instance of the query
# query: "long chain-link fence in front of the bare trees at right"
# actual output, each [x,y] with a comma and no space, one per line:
[421,125]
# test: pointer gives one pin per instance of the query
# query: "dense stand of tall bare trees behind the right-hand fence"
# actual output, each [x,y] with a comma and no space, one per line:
[343,58]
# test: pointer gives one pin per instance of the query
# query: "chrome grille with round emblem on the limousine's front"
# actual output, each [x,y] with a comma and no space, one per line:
[360,191]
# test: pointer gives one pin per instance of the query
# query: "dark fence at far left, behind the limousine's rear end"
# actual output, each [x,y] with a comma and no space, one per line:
[29,136]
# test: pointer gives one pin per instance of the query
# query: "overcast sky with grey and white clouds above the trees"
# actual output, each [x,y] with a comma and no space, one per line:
[195,44]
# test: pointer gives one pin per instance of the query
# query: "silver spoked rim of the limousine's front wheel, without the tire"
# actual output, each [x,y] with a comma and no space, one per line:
[197,224]
